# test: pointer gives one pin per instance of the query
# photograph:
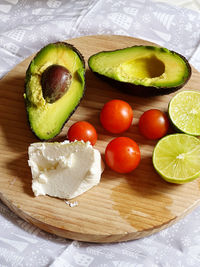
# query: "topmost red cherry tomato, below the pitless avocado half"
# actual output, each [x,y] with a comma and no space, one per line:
[116,116]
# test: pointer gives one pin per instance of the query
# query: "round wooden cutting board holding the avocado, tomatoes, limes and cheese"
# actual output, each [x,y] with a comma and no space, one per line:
[122,207]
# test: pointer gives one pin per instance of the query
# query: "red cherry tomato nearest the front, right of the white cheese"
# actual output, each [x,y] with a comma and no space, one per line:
[122,155]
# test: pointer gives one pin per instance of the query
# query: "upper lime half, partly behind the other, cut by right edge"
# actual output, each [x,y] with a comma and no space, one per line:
[184,112]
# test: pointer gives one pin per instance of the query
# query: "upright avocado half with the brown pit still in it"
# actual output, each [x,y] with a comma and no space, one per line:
[54,87]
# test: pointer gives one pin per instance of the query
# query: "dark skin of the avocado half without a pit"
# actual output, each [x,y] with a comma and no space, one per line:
[141,90]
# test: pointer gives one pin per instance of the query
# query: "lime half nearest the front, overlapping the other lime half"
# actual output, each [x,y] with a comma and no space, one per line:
[176,158]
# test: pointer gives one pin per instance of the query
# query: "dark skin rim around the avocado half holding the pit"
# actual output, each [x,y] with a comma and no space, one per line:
[27,77]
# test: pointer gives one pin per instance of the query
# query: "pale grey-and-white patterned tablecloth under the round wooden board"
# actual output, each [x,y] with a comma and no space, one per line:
[25,27]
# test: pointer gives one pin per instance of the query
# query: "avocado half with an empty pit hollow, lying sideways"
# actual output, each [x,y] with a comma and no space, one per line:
[142,70]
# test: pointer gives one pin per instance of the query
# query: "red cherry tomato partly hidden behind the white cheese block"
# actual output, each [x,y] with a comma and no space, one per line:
[82,130]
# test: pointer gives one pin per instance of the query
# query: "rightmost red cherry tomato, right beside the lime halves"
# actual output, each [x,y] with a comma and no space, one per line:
[153,124]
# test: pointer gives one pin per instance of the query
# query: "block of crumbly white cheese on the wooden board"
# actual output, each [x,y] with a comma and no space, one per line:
[64,170]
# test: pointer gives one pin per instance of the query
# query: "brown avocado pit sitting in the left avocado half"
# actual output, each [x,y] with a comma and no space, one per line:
[55,81]
